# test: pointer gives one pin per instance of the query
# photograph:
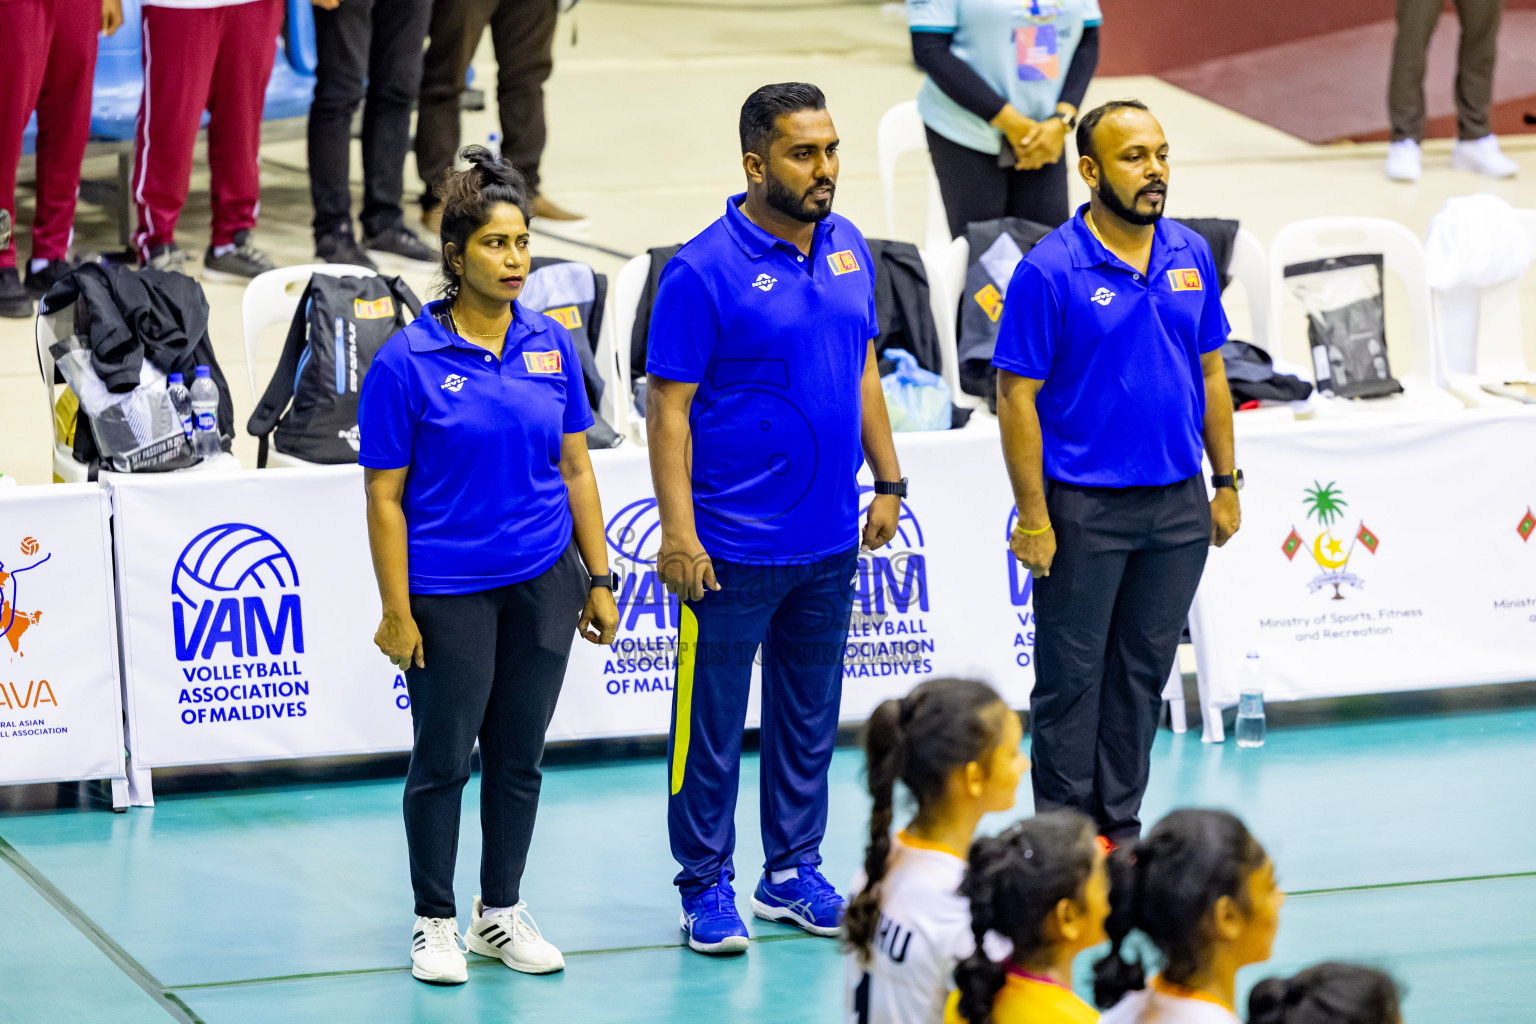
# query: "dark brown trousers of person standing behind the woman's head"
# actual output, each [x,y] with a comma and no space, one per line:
[523,36]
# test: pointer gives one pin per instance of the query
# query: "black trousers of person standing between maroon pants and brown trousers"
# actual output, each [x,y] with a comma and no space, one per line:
[379,44]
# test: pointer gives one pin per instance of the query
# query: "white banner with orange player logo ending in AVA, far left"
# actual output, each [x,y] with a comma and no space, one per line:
[61,699]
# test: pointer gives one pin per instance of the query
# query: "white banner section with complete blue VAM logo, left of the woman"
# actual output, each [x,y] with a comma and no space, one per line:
[250,610]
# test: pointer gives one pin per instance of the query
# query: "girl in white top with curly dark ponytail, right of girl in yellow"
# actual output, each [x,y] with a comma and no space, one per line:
[1203,890]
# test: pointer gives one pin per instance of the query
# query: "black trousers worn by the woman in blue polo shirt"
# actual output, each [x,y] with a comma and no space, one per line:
[495,666]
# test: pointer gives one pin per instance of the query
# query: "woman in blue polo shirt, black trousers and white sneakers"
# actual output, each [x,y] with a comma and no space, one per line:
[489,550]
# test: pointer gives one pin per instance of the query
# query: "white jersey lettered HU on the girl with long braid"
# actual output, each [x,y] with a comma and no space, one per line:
[925,930]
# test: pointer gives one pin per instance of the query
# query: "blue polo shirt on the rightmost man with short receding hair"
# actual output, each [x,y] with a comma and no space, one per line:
[1125,398]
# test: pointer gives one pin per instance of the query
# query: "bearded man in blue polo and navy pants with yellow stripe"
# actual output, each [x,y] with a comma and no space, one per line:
[764,400]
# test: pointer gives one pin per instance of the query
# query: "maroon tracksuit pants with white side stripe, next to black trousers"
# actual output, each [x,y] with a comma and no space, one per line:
[202,59]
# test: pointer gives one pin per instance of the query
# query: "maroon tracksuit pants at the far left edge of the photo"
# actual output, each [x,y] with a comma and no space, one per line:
[50,67]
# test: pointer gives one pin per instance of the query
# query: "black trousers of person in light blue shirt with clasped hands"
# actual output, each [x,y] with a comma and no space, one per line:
[976,190]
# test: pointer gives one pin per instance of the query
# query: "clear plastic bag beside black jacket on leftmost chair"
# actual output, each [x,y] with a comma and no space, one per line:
[136,432]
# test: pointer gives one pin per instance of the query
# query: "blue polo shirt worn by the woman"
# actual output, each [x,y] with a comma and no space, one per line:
[485,500]
